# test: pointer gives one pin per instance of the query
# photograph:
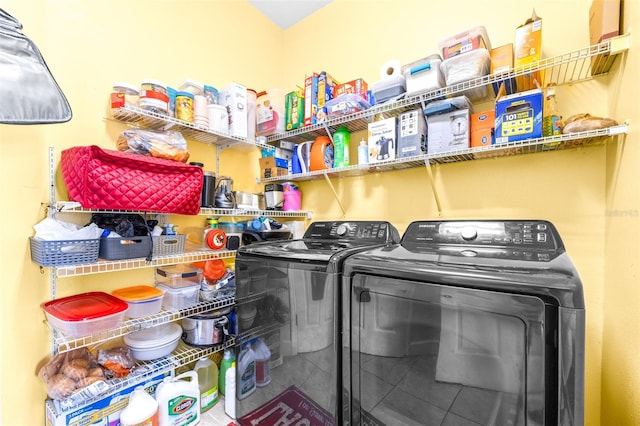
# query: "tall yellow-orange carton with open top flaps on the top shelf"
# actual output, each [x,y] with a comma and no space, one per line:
[528,49]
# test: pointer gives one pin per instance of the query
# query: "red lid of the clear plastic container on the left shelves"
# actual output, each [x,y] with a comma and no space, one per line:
[85,306]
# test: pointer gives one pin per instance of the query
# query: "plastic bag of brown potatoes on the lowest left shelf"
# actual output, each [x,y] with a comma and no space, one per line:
[74,374]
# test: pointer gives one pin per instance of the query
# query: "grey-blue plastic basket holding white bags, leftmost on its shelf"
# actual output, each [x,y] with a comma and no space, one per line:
[63,252]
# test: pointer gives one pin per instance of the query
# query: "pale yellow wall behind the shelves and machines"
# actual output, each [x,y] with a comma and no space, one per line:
[90,45]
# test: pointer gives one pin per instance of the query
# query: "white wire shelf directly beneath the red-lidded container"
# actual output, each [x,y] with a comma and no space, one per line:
[65,344]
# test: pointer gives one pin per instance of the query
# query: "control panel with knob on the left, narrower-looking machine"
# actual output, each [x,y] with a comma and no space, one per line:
[369,231]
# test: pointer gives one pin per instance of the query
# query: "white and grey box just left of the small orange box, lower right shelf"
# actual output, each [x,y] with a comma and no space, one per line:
[448,131]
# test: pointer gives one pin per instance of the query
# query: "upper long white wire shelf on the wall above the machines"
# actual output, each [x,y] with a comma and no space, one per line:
[578,65]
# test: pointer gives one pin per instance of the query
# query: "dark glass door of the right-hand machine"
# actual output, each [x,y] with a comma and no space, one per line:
[425,354]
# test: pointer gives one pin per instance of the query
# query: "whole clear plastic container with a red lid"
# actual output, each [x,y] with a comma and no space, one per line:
[85,314]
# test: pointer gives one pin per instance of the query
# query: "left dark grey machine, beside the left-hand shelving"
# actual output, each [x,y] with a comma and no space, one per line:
[288,296]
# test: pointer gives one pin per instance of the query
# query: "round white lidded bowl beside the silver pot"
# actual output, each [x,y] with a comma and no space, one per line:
[154,342]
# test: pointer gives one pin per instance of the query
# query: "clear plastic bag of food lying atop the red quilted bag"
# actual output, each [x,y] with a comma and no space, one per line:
[168,144]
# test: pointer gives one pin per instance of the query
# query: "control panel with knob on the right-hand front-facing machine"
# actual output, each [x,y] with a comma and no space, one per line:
[532,234]
